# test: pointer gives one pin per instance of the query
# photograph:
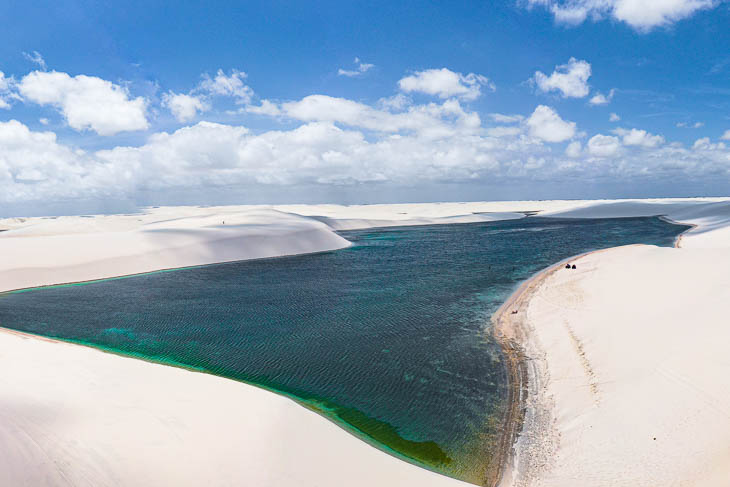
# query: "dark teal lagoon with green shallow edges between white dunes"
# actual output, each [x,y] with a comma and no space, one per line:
[390,338]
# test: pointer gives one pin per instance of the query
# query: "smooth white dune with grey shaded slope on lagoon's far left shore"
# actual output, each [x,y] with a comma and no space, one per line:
[71,249]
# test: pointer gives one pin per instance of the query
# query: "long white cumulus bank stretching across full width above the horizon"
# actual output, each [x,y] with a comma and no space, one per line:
[339,142]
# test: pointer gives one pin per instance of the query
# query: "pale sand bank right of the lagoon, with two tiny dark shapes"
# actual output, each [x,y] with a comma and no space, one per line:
[629,347]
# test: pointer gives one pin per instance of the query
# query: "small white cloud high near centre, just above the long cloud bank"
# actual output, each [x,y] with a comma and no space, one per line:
[445,83]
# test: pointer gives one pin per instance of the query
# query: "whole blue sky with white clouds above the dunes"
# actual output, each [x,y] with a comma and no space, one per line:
[108,106]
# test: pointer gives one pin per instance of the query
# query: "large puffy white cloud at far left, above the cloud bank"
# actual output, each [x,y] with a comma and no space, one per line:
[86,102]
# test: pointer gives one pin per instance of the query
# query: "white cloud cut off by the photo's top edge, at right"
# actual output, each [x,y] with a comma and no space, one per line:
[642,15]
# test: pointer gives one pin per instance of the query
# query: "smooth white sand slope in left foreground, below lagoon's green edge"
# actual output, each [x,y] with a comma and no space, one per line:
[75,416]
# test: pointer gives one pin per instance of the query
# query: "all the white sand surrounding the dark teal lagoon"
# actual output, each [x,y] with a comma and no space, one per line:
[72,415]
